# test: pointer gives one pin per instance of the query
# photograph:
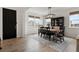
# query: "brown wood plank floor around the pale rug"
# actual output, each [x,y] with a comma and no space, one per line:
[31,43]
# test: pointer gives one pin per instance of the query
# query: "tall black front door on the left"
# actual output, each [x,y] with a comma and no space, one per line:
[9,23]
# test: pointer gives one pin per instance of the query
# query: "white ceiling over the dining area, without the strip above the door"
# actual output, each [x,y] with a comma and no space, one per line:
[40,11]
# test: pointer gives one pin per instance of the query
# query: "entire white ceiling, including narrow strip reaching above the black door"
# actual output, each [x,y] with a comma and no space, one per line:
[41,11]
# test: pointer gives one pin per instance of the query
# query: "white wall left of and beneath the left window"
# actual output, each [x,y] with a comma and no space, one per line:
[29,29]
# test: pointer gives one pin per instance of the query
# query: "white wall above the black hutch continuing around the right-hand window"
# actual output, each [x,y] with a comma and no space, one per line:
[70,32]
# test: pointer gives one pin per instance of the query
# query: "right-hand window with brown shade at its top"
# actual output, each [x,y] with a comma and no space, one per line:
[74,19]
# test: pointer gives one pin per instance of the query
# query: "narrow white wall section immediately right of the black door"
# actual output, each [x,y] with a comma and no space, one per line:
[20,18]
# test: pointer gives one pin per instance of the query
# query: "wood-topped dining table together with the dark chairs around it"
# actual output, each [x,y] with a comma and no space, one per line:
[52,34]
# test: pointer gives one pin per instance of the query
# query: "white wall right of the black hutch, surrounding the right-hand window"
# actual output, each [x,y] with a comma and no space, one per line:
[71,32]
